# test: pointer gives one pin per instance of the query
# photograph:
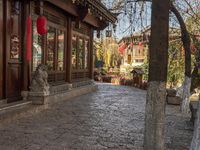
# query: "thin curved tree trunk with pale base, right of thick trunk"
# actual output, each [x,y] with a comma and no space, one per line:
[186,44]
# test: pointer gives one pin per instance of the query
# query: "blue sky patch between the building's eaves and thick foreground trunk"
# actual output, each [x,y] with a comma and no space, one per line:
[130,22]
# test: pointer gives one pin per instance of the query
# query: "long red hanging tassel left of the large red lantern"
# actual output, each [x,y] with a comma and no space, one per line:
[28,38]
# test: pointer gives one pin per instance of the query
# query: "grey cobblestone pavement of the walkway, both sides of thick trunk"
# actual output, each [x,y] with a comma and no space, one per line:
[111,118]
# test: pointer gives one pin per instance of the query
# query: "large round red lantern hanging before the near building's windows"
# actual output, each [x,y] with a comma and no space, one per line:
[41,25]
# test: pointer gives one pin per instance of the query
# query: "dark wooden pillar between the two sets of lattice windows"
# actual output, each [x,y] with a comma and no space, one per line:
[69,51]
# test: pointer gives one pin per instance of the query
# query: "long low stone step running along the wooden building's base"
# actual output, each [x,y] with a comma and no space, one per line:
[23,108]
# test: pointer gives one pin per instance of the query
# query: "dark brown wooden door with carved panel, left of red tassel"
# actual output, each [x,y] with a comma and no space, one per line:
[13,52]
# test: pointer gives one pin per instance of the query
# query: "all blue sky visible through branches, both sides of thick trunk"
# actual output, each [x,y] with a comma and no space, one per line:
[125,27]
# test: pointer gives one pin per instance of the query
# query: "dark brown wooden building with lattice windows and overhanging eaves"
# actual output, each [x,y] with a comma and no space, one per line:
[66,49]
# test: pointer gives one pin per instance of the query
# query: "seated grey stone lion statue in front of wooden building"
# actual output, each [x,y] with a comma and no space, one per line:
[39,81]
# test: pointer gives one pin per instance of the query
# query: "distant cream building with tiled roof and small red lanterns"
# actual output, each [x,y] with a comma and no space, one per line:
[134,49]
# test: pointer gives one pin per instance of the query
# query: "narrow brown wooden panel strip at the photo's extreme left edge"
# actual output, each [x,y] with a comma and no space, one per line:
[1,49]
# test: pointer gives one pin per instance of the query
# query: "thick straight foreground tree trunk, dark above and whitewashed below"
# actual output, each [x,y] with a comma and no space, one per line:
[156,93]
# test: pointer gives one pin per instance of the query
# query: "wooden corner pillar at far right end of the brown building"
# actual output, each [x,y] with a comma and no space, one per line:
[91,55]
